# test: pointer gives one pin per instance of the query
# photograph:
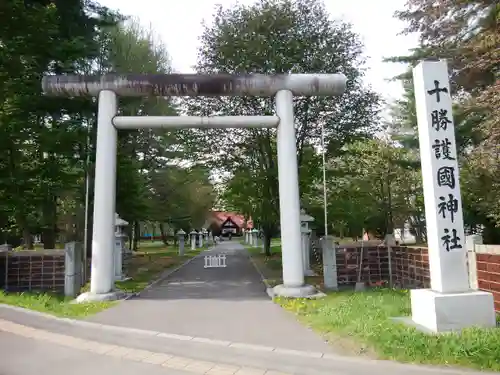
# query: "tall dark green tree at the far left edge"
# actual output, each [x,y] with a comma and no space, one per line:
[39,133]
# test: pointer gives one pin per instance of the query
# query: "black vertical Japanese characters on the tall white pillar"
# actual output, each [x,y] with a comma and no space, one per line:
[446,176]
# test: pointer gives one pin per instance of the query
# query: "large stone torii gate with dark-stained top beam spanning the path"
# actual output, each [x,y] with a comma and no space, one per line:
[108,87]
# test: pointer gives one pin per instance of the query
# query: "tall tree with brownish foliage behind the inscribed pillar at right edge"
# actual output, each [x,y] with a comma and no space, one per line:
[466,34]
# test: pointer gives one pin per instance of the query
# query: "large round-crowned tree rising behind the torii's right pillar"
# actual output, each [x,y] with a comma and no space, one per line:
[291,36]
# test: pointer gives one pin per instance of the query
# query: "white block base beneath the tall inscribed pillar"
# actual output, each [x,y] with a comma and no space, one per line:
[446,312]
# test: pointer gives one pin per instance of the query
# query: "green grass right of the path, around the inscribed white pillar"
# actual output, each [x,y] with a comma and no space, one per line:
[360,323]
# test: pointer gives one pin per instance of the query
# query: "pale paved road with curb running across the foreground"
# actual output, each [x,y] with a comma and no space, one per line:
[33,343]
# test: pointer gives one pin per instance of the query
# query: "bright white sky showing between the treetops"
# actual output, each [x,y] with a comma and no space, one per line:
[178,24]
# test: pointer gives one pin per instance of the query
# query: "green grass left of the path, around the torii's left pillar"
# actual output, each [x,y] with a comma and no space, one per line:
[145,266]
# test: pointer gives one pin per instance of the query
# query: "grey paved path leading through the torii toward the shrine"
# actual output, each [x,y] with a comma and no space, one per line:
[216,303]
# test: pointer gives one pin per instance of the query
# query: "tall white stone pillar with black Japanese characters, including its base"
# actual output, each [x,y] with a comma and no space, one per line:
[449,304]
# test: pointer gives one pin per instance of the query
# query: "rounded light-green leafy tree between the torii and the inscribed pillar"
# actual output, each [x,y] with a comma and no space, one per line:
[372,185]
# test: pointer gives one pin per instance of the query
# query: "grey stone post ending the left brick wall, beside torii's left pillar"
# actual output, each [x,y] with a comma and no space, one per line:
[72,268]
